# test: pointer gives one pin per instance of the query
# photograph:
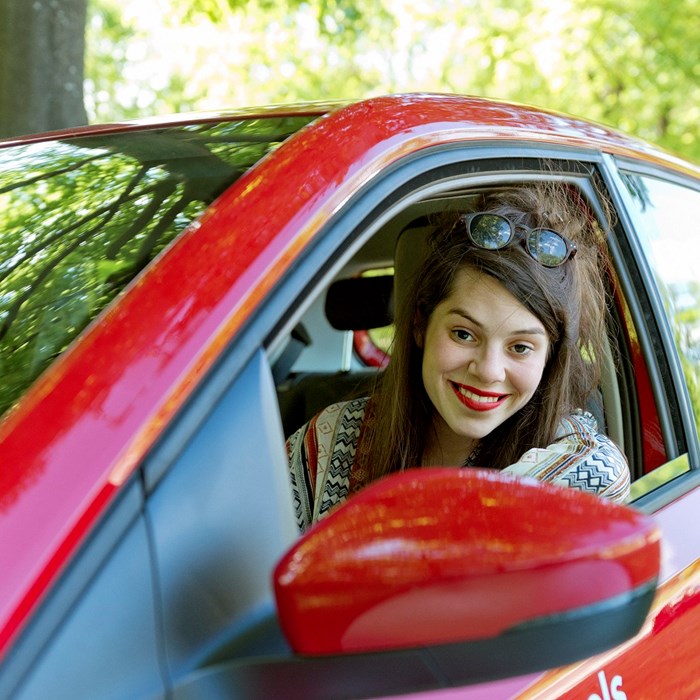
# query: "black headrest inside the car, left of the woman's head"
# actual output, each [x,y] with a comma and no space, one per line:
[360,303]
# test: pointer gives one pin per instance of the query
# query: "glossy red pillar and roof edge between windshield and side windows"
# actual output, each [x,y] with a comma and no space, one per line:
[103,404]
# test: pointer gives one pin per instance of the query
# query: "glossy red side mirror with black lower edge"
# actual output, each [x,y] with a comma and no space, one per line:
[499,575]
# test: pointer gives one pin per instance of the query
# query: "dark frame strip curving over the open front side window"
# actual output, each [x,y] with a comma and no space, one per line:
[323,257]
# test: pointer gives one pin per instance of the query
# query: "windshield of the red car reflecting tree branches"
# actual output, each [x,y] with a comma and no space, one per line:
[81,217]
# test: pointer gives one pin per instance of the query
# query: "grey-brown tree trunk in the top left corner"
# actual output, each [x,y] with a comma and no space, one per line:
[42,49]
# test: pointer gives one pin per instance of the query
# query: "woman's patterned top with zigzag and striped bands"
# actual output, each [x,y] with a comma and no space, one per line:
[324,473]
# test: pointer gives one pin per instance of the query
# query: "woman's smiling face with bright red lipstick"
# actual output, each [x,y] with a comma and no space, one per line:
[483,358]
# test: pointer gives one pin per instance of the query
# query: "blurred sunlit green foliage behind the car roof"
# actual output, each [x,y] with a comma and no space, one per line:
[631,64]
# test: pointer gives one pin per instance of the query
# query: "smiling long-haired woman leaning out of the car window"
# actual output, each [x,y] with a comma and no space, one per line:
[494,357]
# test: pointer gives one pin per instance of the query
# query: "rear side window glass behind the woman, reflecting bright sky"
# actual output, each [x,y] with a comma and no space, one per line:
[669,213]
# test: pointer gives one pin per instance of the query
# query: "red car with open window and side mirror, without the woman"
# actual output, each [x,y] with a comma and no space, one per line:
[177,296]
